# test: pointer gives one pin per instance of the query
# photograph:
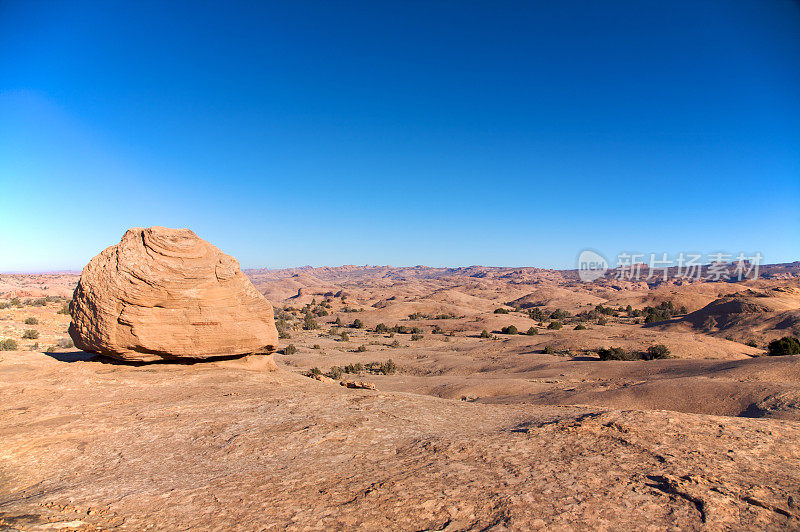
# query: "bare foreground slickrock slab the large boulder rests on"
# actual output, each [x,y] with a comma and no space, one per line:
[226,446]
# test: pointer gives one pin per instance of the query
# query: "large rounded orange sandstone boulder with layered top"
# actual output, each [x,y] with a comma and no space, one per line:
[167,294]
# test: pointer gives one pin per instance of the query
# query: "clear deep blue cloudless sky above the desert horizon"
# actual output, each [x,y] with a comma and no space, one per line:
[411,132]
